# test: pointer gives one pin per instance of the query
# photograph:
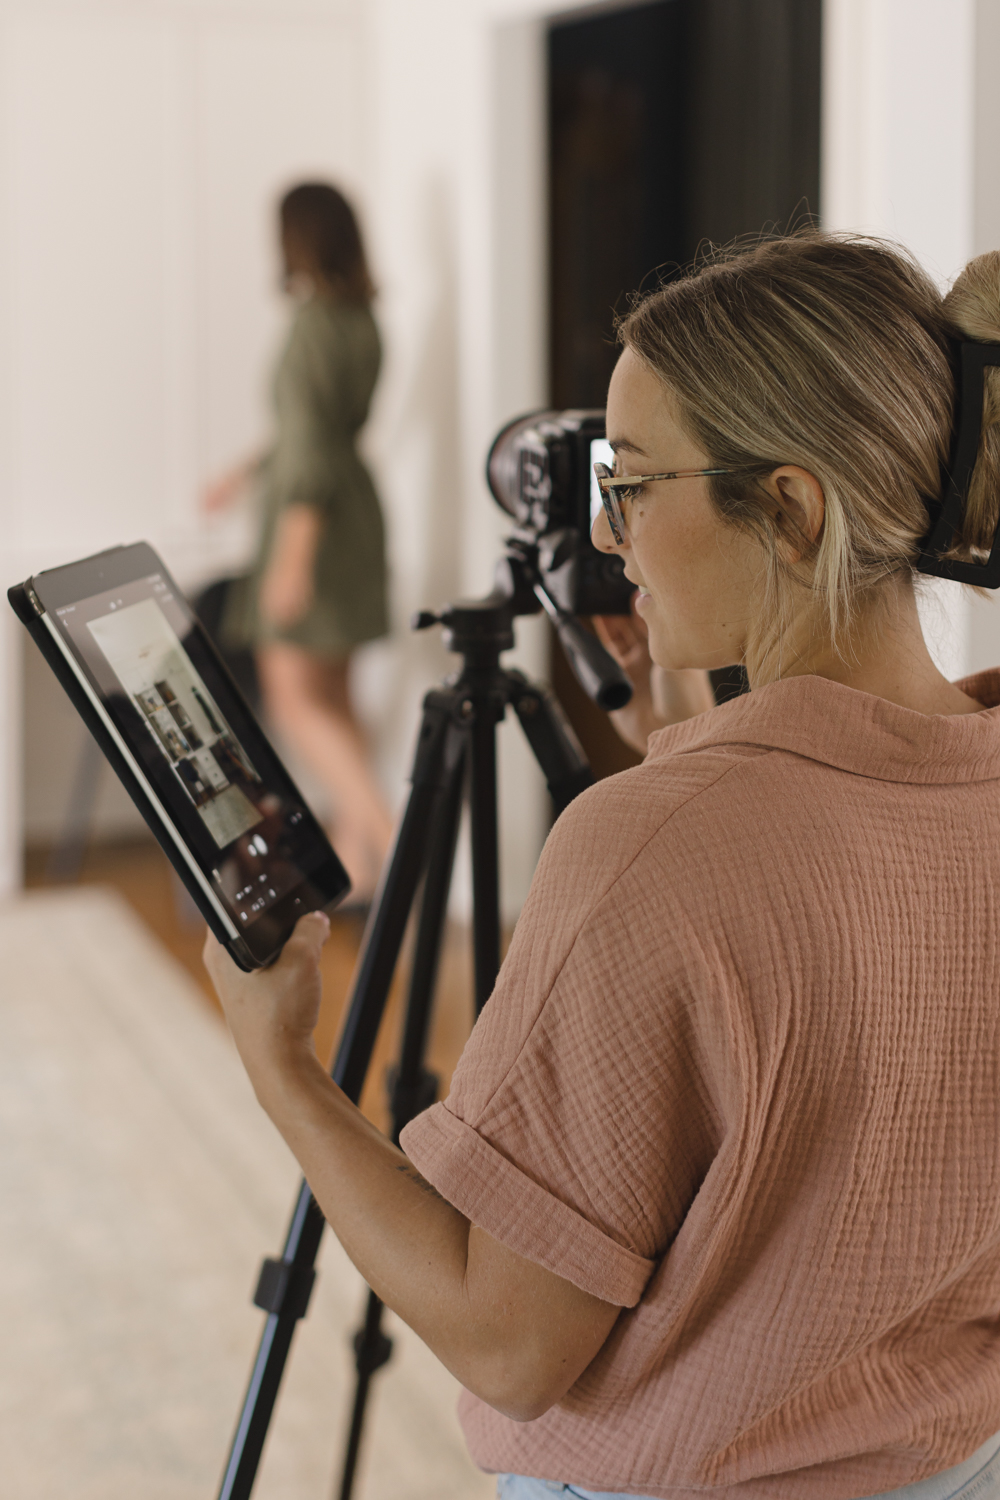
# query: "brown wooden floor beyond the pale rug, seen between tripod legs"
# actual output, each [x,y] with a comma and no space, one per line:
[140,872]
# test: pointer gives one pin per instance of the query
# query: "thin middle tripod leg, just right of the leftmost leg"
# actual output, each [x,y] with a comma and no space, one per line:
[413,1088]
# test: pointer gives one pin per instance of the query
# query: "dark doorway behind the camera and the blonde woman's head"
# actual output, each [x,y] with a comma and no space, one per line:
[669,125]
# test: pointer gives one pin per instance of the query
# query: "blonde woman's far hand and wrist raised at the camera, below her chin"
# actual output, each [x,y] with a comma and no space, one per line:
[660,698]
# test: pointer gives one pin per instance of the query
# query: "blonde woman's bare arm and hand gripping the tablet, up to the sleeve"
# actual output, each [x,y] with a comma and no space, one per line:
[513,1333]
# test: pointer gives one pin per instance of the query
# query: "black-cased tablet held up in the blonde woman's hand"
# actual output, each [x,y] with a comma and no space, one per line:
[155,694]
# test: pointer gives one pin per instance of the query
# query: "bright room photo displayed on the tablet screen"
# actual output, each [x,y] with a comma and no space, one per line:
[182,716]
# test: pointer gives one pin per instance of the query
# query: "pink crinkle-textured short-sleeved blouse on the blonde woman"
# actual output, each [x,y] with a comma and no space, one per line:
[741,1075]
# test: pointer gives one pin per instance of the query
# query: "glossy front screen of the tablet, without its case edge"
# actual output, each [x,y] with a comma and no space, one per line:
[199,746]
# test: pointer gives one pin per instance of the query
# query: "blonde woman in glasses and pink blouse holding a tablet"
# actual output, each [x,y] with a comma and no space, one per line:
[713,1205]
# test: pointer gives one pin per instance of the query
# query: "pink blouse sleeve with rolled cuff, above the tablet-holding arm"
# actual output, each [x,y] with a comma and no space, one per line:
[579,1123]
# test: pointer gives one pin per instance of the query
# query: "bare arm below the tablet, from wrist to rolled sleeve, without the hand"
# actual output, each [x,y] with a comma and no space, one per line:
[509,1331]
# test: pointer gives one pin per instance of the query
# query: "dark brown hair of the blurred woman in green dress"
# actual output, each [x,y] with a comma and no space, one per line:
[322,239]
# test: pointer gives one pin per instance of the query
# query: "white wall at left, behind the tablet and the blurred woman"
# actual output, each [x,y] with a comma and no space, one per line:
[142,151]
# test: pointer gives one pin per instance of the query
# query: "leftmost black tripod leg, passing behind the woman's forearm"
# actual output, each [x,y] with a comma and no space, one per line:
[286,1285]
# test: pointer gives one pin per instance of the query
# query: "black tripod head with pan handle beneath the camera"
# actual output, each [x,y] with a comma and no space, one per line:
[481,629]
